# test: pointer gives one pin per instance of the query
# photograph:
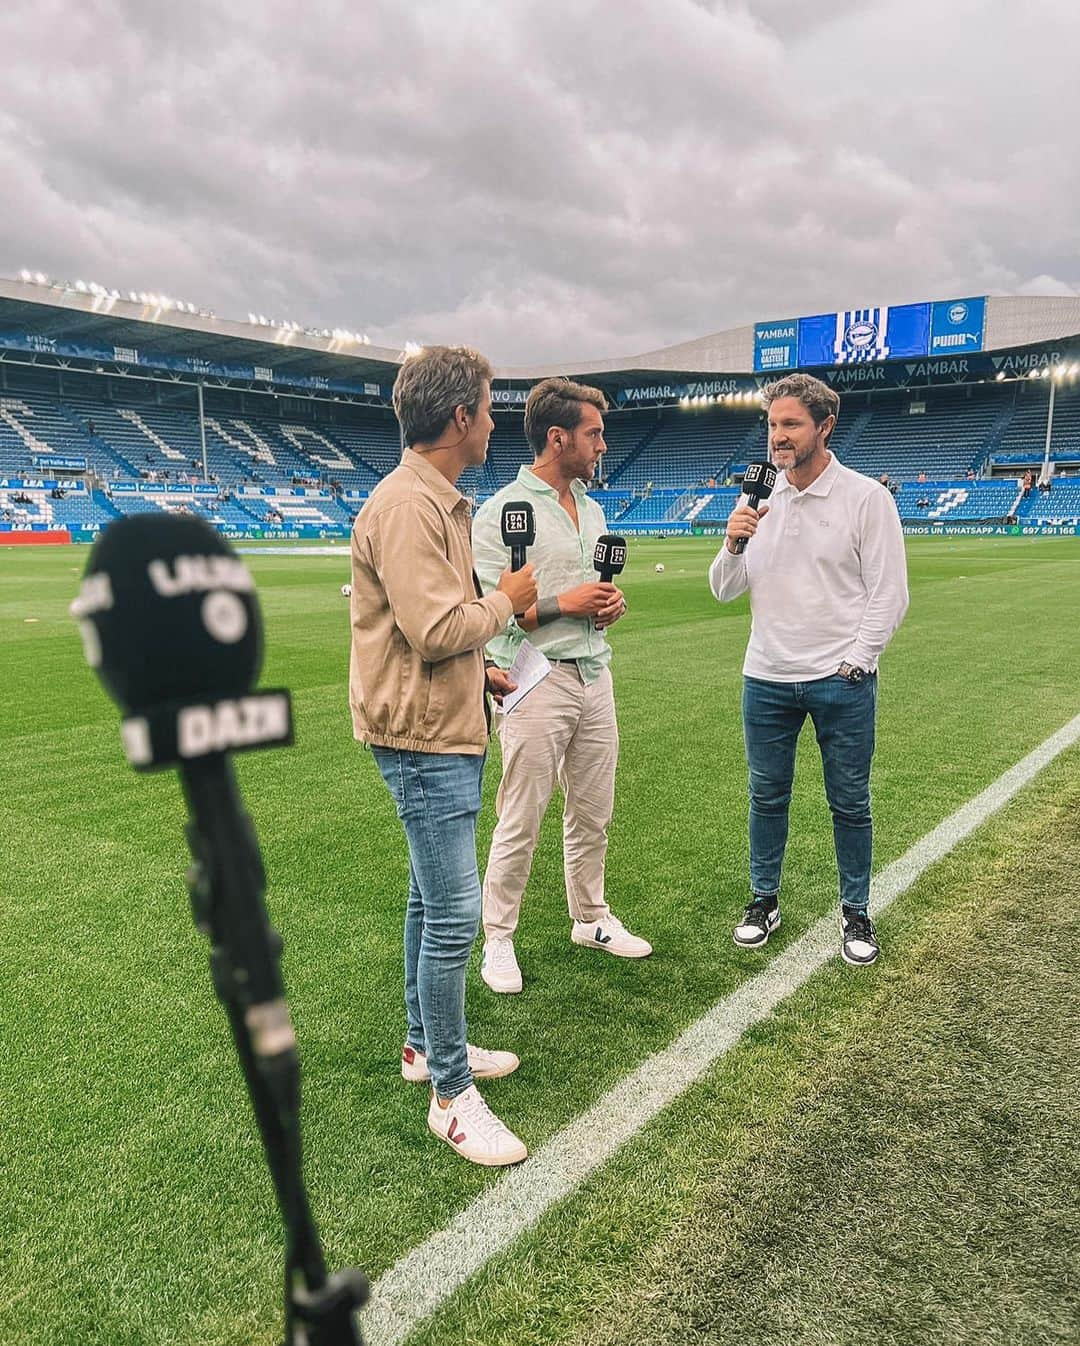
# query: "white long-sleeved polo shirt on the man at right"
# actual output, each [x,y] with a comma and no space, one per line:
[828,577]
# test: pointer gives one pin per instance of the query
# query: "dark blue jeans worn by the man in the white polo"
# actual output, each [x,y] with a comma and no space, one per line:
[844,719]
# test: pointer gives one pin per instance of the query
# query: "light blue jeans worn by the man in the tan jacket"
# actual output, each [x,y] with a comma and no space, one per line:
[438,802]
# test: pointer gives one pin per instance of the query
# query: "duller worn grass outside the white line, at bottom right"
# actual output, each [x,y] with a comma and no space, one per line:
[891,1161]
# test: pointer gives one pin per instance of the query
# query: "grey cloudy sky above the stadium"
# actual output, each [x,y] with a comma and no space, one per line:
[546,181]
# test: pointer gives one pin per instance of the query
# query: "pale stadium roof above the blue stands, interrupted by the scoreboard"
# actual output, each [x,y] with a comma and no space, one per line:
[61,312]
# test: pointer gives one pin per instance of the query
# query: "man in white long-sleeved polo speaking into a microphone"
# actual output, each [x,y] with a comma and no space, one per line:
[828,575]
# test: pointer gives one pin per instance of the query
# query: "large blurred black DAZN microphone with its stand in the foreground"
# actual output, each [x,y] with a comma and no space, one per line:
[172,627]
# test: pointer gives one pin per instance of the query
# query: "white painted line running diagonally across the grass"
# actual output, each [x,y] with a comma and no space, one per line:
[429,1275]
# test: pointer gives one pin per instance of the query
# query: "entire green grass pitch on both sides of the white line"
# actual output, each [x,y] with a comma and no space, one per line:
[884,1160]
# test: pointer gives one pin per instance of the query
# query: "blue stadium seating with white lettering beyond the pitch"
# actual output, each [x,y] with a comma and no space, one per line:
[289,466]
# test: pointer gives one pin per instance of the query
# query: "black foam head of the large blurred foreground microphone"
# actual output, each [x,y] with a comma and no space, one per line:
[169,613]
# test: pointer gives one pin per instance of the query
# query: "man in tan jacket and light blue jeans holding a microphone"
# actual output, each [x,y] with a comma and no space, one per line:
[417,693]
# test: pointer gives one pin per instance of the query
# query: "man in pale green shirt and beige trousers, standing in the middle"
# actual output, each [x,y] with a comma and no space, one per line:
[566,730]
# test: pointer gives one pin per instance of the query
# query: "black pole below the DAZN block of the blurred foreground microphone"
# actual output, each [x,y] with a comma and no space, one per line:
[227,884]
